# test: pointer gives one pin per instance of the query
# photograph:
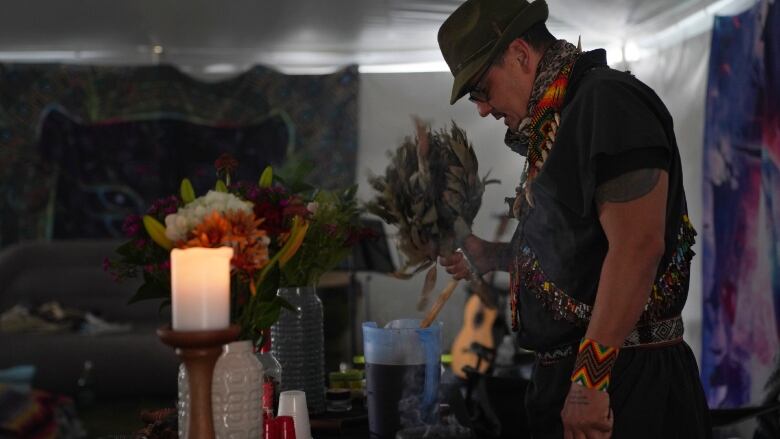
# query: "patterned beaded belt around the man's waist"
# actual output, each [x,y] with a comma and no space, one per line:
[655,334]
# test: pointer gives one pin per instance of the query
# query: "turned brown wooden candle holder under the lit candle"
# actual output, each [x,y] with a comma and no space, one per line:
[199,351]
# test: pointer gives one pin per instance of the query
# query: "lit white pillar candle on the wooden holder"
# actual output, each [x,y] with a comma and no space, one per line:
[200,287]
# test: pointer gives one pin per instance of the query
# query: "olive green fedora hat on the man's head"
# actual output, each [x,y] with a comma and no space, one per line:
[478,30]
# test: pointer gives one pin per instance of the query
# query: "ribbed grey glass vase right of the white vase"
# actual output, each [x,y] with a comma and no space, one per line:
[298,343]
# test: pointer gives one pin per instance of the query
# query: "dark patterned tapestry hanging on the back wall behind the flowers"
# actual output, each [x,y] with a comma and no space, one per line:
[81,146]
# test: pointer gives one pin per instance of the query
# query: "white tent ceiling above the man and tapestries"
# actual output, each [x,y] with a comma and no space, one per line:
[225,36]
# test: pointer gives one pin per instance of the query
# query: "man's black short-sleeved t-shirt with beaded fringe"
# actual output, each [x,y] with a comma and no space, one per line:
[611,123]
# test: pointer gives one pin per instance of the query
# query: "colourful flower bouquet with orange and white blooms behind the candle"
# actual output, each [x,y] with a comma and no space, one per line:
[283,233]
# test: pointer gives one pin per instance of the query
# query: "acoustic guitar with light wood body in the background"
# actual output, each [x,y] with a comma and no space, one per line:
[475,344]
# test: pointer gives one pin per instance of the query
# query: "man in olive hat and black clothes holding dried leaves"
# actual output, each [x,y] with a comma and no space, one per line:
[600,259]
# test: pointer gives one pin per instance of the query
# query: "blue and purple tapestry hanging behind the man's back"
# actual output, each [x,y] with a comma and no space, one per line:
[741,205]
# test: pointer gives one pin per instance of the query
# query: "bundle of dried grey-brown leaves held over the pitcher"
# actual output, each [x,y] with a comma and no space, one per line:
[432,192]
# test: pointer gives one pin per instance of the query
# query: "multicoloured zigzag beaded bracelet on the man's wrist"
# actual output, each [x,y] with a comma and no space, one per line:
[593,366]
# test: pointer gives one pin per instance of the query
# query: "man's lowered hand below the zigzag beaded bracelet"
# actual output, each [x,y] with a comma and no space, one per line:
[586,414]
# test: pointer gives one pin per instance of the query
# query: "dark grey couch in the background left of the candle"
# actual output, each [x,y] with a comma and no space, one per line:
[125,365]
